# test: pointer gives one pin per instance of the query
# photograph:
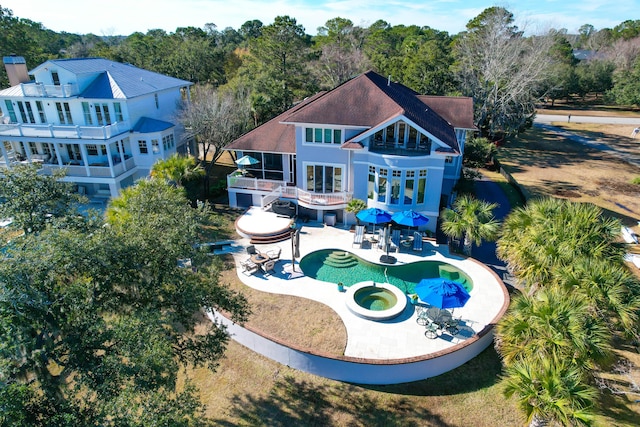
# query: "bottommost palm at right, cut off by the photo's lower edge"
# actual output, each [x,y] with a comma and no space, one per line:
[549,391]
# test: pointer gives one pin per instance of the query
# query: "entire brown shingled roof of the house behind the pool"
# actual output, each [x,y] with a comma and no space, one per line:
[368,100]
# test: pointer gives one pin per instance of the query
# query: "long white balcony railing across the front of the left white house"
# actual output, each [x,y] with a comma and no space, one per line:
[64,131]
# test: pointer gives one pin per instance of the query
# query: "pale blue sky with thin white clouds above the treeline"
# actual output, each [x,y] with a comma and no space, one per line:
[123,17]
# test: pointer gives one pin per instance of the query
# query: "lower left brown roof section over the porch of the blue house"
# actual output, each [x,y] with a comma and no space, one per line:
[272,136]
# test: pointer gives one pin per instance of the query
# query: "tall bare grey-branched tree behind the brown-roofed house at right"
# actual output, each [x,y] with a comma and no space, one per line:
[502,70]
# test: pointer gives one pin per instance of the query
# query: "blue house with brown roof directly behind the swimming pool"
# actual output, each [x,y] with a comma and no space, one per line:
[369,138]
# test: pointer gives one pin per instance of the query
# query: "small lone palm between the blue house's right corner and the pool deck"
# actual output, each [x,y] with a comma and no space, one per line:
[472,219]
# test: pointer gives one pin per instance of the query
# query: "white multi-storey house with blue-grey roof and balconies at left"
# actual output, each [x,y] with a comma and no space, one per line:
[104,122]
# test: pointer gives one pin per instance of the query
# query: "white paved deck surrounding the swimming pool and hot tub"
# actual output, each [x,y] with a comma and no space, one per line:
[398,338]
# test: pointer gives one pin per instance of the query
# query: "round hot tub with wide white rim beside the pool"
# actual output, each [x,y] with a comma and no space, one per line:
[375,301]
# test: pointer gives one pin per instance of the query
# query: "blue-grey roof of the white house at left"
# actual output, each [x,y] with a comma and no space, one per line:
[114,79]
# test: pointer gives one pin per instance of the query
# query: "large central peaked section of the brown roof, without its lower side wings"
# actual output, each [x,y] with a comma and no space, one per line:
[370,100]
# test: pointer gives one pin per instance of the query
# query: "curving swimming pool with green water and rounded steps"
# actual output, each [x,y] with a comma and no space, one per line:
[335,265]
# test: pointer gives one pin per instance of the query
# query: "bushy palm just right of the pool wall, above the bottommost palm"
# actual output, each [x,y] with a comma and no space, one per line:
[554,324]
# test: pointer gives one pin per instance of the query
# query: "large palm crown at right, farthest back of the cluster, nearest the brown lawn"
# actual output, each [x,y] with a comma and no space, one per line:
[550,233]
